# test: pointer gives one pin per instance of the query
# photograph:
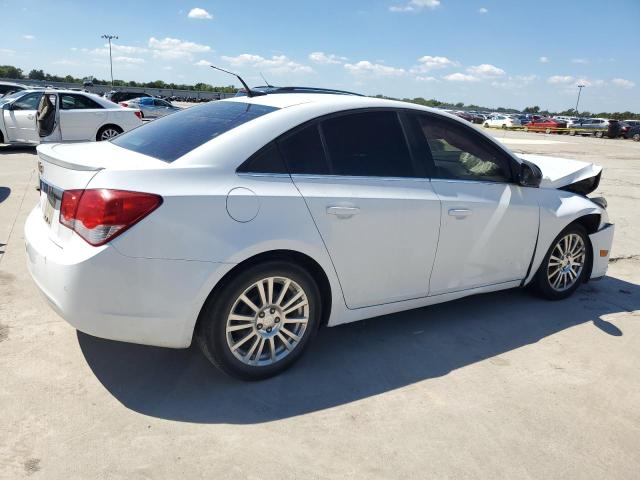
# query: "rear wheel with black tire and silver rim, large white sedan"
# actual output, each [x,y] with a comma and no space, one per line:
[254,355]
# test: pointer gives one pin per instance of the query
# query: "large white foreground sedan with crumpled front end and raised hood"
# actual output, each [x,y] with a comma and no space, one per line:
[248,223]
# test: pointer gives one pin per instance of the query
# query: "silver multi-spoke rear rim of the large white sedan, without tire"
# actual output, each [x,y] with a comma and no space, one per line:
[267,321]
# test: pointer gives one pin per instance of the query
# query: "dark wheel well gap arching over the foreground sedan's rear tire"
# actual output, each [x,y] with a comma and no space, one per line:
[297,258]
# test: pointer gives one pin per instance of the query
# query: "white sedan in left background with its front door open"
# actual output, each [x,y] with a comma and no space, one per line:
[42,116]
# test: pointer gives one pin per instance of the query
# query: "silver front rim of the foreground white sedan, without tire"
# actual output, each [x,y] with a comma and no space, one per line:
[566,262]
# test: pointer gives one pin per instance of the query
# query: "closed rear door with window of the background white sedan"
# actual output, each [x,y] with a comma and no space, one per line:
[80,117]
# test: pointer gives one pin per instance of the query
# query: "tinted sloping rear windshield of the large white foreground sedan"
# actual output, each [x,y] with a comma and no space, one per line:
[175,135]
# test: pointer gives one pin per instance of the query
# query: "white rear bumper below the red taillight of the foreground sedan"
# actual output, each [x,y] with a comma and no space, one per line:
[106,294]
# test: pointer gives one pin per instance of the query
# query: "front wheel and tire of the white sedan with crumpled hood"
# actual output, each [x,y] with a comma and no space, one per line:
[554,280]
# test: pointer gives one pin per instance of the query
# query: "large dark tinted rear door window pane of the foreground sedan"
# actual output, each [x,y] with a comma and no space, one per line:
[370,144]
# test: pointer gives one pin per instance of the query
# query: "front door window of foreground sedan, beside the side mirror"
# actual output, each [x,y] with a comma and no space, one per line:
[460,153]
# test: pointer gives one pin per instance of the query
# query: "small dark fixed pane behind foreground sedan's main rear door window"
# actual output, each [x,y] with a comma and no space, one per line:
[303,153]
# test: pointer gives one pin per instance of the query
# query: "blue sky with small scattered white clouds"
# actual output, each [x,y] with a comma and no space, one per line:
[488,52]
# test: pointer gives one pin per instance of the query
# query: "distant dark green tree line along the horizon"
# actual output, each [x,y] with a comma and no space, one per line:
[9,71]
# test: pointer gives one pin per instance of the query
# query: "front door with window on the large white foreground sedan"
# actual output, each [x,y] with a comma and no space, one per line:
[489,224]
